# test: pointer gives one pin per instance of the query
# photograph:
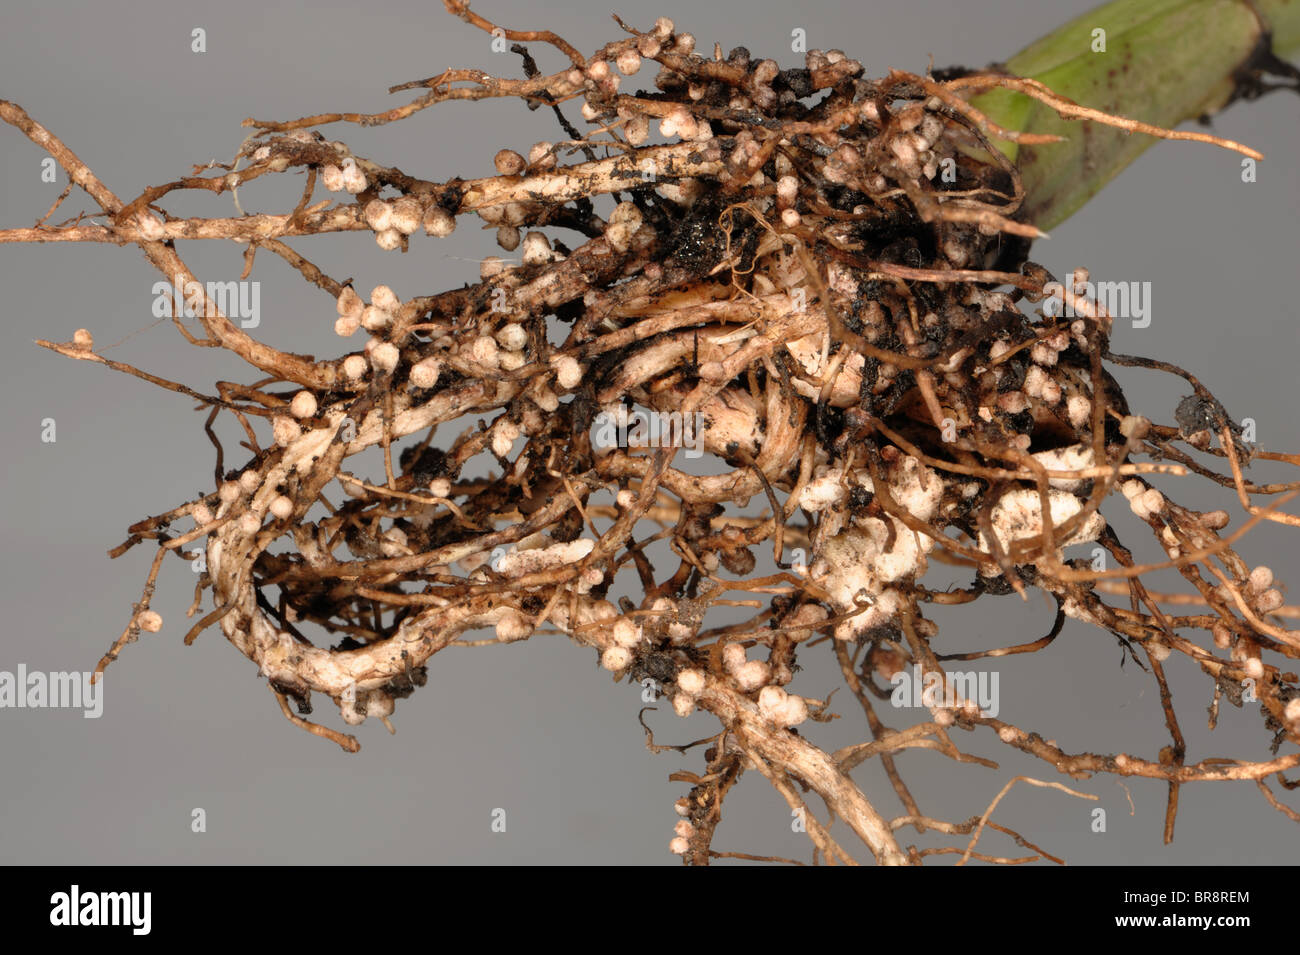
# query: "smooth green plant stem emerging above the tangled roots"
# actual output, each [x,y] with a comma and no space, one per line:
[1160,62]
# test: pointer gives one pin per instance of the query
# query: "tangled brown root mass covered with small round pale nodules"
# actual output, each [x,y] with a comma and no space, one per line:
[794,371]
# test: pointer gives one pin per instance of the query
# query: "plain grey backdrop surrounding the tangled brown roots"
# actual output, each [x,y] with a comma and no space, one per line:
[534,728]
